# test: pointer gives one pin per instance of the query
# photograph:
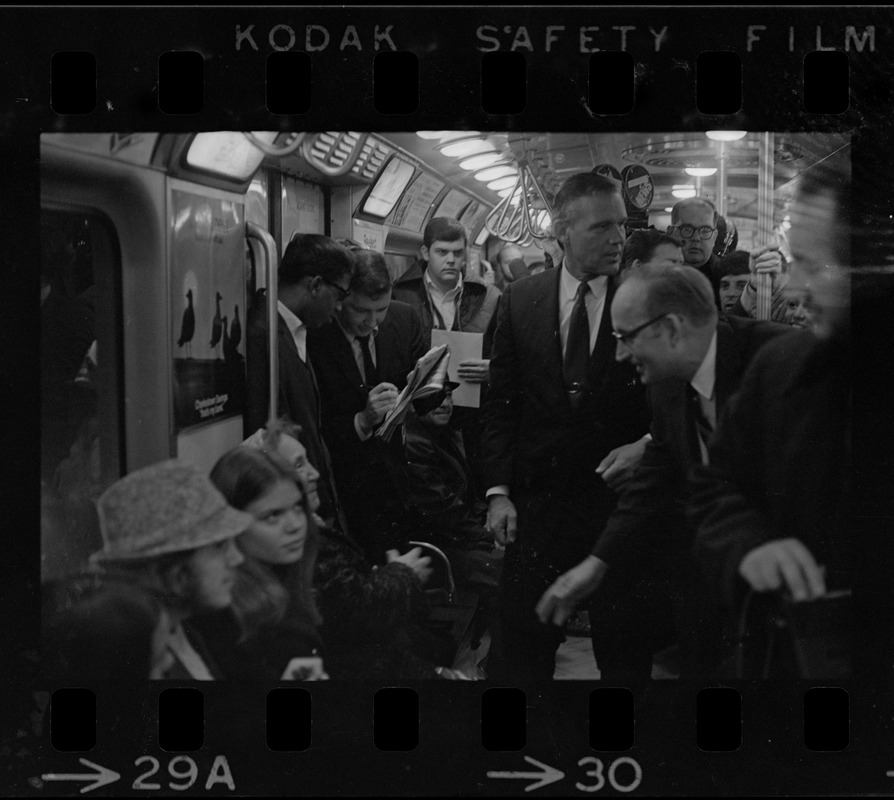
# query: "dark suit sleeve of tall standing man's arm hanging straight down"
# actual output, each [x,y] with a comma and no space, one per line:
[503,403]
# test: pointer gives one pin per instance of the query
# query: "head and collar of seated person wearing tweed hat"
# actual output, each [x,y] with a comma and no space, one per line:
[166,528]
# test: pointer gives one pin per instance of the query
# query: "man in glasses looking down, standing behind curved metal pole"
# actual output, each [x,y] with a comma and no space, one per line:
[313,280]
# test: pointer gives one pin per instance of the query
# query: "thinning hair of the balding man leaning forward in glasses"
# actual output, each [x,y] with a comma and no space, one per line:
[677,290]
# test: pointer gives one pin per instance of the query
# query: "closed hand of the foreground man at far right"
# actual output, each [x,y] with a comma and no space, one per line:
[784,562]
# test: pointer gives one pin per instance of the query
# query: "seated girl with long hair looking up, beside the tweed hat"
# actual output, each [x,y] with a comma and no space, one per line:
[273,601]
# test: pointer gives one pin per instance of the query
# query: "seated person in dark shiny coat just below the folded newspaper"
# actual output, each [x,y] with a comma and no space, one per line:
[442,501]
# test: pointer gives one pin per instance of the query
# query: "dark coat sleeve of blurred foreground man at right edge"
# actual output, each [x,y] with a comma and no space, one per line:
[725,506]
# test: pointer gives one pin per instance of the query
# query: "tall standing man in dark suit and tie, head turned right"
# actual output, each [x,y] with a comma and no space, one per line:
[559,403]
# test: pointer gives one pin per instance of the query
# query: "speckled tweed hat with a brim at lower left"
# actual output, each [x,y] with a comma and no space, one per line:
[168,507]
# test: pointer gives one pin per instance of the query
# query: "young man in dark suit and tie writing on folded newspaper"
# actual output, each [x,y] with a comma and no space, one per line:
[362,360]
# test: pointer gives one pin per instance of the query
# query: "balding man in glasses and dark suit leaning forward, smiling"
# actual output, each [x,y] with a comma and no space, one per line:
[666,324]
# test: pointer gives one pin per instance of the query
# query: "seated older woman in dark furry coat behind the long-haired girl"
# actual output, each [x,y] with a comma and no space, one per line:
[368,612]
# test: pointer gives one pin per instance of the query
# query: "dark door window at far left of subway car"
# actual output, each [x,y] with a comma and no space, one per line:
[79,407]
